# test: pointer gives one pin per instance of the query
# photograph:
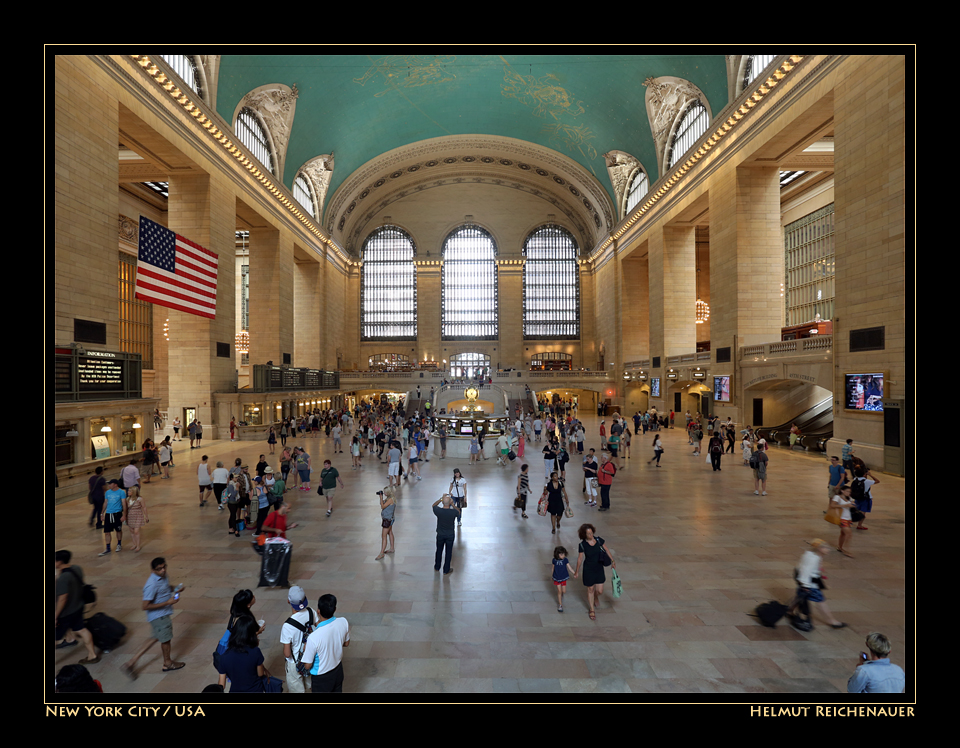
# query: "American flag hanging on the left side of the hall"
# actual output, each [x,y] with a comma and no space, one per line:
[175,272]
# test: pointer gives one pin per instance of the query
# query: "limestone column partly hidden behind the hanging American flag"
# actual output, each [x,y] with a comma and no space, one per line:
[201,360]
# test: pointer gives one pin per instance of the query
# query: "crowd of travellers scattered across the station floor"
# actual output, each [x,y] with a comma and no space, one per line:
[313,640]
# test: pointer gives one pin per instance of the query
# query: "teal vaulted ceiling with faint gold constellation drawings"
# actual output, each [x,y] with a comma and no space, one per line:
[360,106]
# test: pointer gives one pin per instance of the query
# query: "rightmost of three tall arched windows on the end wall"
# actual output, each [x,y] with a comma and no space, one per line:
[551,285]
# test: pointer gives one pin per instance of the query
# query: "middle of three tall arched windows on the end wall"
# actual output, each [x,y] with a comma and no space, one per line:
[469,285]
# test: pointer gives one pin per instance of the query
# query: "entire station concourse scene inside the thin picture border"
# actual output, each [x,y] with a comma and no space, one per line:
[423,283]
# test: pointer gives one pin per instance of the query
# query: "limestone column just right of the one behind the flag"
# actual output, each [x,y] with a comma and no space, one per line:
[271,296]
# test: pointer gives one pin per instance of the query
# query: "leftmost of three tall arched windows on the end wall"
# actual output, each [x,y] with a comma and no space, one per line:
[388,286]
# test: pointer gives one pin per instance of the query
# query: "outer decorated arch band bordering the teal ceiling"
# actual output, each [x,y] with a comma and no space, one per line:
[495,152]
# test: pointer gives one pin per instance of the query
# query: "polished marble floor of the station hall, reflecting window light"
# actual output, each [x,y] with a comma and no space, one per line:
[696,550]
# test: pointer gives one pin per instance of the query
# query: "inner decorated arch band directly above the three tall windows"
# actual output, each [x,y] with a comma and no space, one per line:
[575,214]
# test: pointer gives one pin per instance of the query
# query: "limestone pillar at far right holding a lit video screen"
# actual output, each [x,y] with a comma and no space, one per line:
[869,189]
